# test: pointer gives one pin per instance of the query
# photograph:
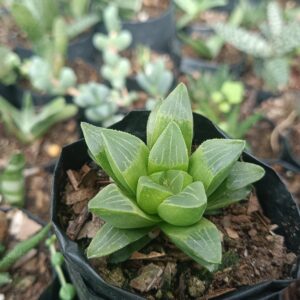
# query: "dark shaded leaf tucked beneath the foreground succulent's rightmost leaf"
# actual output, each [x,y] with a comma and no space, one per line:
[223,197]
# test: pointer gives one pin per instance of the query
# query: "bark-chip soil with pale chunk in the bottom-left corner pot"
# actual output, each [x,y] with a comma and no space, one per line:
[31,274]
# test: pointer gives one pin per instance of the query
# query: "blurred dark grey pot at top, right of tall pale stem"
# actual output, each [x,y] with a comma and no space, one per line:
[157,33]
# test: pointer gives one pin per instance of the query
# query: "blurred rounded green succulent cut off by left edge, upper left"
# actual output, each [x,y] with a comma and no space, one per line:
[9,66]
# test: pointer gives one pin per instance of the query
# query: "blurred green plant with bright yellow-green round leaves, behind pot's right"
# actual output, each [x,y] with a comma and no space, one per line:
[219,97]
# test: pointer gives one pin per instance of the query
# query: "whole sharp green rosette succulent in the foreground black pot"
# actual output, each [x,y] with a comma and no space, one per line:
[163,185]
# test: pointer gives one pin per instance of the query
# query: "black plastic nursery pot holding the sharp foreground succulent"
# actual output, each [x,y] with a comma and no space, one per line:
[274,198]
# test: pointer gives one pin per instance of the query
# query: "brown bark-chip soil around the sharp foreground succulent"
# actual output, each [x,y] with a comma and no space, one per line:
[252,252]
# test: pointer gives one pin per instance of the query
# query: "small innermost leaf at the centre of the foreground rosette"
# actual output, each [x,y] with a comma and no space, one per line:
[175,180]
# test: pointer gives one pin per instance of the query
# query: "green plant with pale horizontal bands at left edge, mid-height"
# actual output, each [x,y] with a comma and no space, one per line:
[12,182]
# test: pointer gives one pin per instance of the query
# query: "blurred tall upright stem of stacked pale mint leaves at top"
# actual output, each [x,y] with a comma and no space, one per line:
[115,68]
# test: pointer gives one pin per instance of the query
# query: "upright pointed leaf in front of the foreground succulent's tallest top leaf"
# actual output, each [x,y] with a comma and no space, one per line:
[169,151]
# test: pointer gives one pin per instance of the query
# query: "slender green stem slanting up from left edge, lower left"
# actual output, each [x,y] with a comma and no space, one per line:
[22,248]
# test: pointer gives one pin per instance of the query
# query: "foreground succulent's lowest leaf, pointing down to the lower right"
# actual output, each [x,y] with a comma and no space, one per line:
[201,241]
